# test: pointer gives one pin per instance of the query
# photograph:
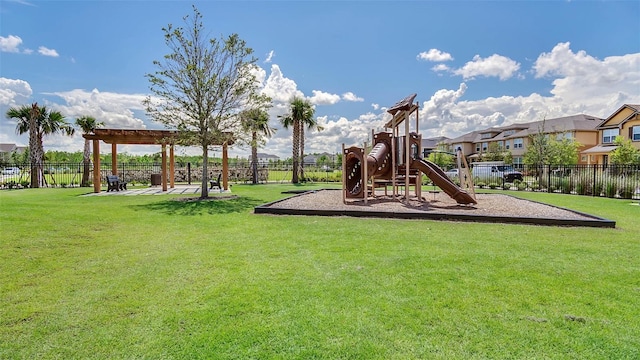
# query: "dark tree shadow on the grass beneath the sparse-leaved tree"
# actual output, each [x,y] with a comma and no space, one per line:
[198,207]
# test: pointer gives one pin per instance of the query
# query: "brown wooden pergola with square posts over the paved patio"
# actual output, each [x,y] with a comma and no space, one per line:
[144,137]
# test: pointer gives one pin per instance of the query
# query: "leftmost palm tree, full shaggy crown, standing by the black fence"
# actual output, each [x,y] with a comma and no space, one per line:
[38,122]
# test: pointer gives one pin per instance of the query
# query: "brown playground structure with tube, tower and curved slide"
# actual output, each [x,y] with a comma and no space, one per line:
[395,161]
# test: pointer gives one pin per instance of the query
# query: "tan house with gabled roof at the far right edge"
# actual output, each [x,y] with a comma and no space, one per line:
[623,122]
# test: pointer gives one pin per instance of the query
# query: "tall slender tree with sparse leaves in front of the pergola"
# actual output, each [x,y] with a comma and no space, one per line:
[201,86]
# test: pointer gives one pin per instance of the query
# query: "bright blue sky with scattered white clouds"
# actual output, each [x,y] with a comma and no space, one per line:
[473,64]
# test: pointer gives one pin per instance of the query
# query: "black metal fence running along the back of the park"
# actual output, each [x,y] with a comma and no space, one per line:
[618,181]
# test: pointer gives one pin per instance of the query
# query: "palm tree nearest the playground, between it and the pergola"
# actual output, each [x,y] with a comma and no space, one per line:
[300,111]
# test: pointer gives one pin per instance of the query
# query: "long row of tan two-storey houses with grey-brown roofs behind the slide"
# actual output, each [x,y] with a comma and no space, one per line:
[516,138]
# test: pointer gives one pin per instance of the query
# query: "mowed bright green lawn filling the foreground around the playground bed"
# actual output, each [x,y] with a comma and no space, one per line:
[119,277]
